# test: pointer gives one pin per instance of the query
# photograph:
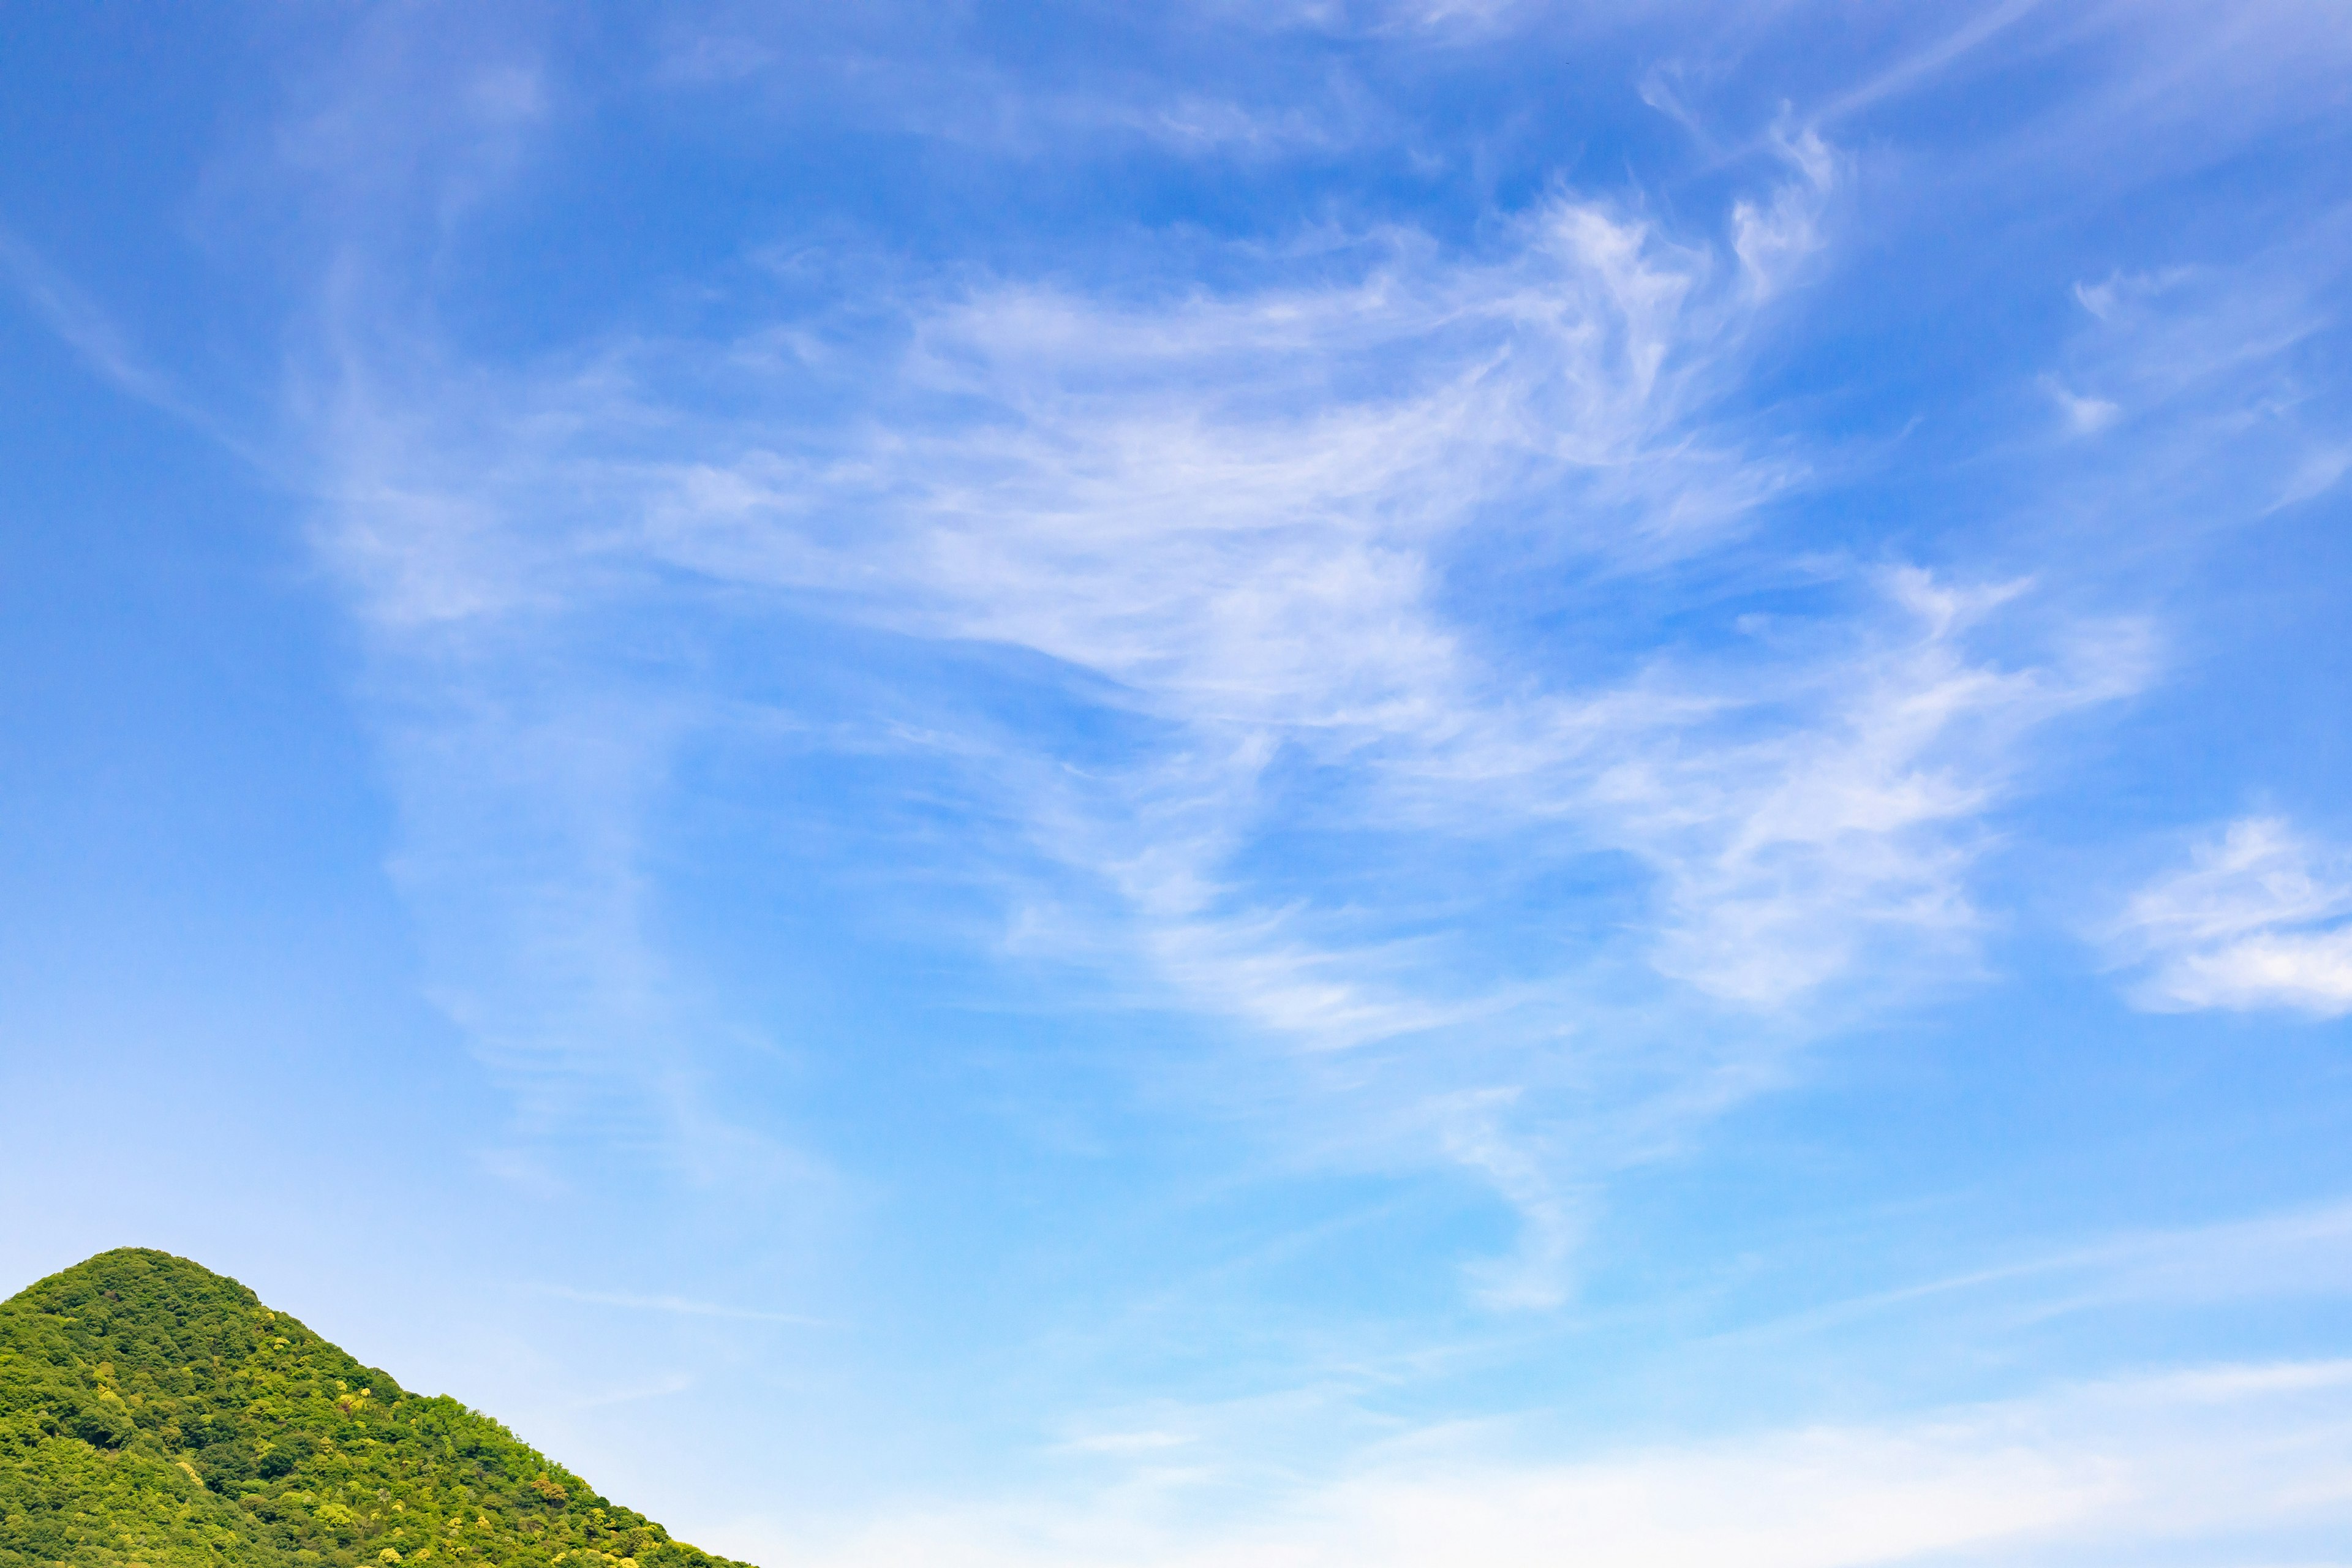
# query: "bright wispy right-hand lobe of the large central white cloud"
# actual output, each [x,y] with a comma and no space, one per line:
[1786,855]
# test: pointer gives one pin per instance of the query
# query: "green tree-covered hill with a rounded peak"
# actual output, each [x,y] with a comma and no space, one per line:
[156,1414]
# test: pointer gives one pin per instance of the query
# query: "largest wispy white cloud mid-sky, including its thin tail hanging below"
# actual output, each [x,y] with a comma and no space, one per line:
[1241,511]
